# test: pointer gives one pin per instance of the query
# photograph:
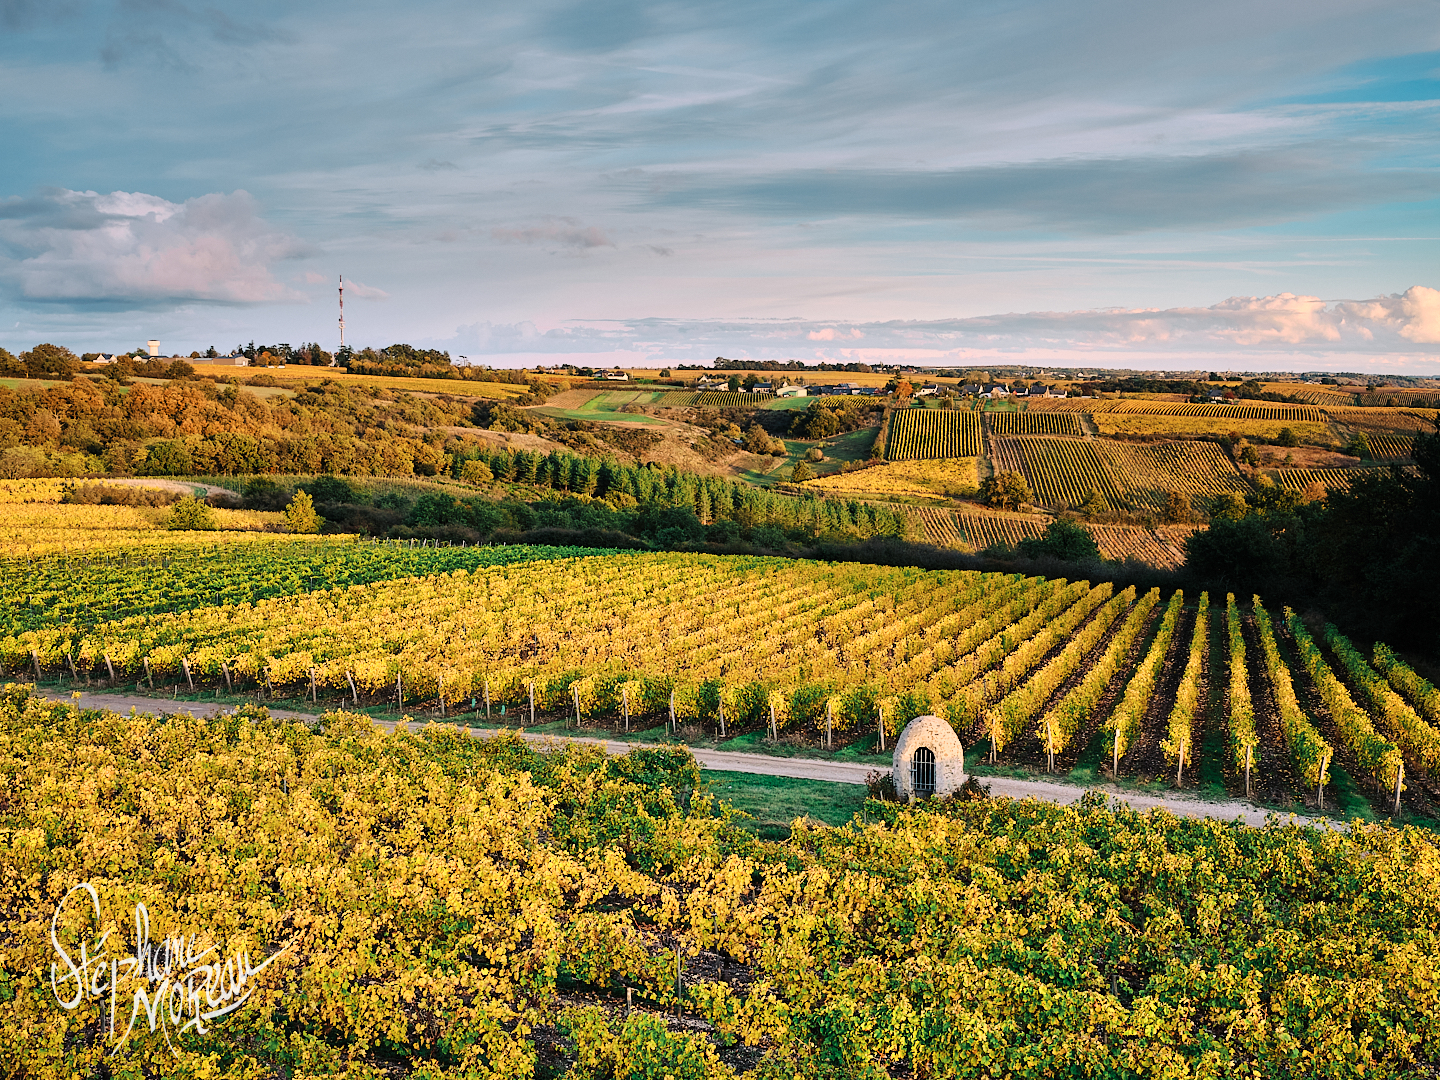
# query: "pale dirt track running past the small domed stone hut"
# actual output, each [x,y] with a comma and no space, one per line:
[764,765]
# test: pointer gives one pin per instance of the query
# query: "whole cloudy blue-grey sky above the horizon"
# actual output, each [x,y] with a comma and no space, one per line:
[1104,185]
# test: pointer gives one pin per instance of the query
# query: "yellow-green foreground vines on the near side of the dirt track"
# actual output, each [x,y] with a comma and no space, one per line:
[454,908]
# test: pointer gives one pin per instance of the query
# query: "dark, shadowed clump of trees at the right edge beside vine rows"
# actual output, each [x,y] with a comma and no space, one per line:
[1369,554]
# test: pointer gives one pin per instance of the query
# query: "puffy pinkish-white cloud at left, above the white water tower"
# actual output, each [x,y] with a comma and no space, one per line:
[139,250]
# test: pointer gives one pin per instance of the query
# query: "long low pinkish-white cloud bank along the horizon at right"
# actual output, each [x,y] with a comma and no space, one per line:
[1281,332]
